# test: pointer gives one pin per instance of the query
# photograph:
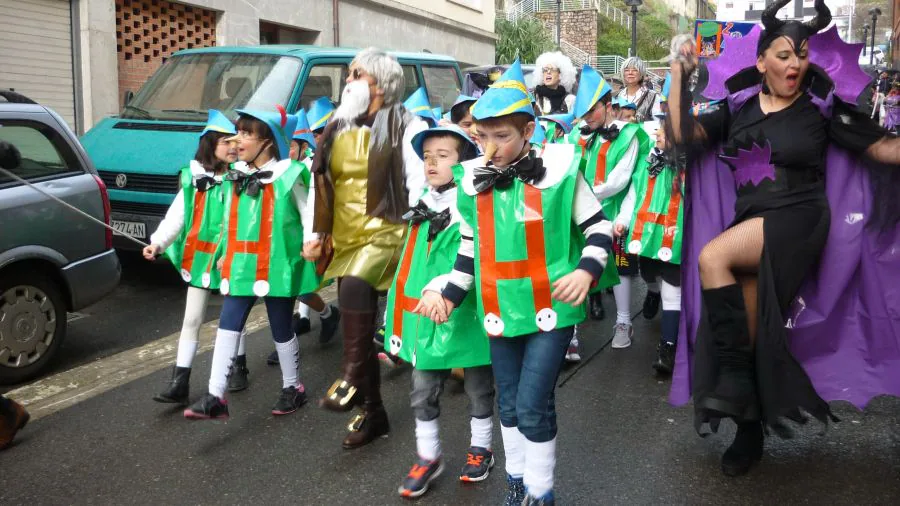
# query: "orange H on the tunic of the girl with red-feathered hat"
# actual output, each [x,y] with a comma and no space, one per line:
[262,246]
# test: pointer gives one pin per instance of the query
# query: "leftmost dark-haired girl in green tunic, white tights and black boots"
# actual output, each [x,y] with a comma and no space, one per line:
[190,240]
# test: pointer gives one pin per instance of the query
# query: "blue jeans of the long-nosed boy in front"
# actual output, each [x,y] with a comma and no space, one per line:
[526,369]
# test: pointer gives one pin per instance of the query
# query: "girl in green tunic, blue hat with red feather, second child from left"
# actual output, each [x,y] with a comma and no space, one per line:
[263,229]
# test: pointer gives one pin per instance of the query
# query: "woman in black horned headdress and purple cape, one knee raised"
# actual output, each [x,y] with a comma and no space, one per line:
[759,225]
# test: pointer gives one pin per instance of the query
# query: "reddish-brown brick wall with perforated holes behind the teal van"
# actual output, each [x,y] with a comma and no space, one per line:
[149,31]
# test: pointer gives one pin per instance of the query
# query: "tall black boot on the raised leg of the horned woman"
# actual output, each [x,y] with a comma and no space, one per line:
[734,395]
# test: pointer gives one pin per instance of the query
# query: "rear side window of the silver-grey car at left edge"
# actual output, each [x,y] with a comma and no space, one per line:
[37,147]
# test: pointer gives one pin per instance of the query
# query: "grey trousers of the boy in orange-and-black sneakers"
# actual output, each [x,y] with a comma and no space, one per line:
[429,384]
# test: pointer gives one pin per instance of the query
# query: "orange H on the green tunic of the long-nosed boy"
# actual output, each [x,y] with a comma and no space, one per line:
[533,267]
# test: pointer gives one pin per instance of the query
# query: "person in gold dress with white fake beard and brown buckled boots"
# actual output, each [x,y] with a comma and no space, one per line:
[367,177]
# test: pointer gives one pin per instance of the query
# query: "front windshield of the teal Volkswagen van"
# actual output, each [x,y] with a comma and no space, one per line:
[187,86]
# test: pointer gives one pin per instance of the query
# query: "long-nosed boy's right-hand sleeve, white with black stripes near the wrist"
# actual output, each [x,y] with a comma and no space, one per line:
[588,214]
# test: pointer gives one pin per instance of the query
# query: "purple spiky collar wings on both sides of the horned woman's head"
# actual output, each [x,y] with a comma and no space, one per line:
[838,59]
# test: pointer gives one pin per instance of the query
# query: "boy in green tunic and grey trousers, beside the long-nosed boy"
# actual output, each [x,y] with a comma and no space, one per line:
[433,350]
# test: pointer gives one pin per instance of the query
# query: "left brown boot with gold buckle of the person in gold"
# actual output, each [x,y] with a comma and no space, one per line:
[349,391]
